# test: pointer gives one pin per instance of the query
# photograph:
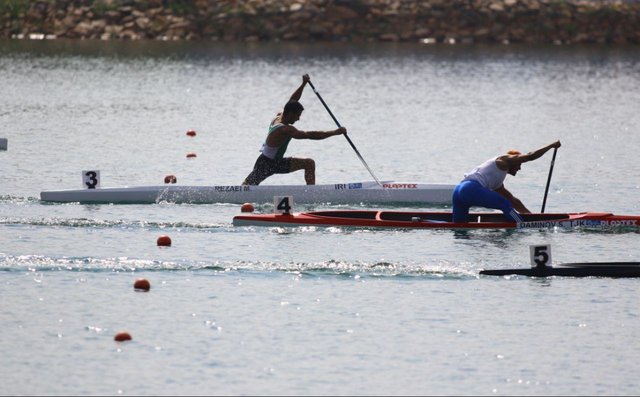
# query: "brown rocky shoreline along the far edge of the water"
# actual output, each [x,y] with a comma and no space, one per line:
[432,21]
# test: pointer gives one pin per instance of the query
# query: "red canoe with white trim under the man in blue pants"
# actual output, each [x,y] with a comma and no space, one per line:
[436,220]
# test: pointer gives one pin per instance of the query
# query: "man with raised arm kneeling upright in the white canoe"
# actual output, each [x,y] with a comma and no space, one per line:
[281,131]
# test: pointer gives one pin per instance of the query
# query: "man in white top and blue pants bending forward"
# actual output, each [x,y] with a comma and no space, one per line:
[484,185]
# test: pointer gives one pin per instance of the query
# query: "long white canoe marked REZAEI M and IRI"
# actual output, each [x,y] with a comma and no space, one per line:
[339,193]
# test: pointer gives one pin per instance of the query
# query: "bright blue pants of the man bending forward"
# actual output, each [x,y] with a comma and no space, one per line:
[472,194]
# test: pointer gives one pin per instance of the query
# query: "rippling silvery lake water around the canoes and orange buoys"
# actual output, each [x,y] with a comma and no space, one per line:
[311,310]
